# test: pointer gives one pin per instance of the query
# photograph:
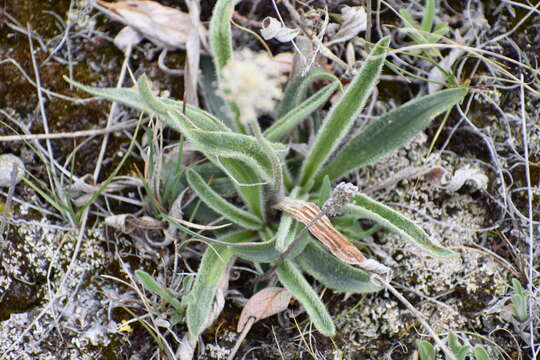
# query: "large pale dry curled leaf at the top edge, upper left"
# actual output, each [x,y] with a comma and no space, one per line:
[164,26]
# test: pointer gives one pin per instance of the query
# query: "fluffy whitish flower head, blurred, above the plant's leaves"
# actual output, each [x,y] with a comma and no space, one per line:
[253,82]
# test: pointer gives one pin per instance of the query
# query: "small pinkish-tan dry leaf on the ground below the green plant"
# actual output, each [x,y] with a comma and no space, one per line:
[267,302]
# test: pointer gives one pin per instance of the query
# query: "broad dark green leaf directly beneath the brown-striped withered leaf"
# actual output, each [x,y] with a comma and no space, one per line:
[334,273]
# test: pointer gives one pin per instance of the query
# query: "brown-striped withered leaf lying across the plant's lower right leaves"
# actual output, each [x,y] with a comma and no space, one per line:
[322,229]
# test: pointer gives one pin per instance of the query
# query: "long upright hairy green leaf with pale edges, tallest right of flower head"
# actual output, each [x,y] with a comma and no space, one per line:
[344,112]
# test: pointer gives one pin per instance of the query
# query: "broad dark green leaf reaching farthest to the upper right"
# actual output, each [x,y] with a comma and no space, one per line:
[390,132]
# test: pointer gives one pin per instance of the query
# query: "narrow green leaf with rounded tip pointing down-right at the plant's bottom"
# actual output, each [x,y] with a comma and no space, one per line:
[292,279]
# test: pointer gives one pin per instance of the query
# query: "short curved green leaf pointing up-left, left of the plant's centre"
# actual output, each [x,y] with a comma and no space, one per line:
[214,201]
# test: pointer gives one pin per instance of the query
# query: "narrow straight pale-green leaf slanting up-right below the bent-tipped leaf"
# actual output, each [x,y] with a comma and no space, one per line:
[289,121]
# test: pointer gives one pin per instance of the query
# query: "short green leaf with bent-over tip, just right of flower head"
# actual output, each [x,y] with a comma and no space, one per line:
[297,88]
